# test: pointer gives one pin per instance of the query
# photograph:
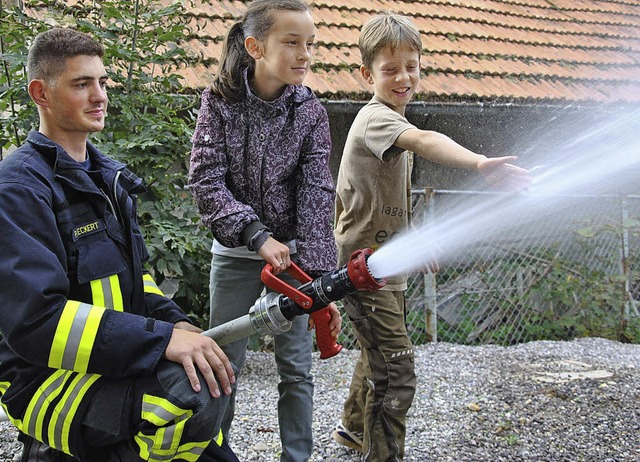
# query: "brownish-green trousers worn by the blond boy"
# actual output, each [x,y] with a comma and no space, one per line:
[384,381]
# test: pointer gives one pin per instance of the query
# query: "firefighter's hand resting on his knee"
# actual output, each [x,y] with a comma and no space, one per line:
[194,350]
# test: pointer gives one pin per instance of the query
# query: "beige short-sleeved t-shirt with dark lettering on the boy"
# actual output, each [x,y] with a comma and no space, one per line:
[373,192]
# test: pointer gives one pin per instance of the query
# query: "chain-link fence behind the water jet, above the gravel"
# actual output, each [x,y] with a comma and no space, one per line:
[547,277]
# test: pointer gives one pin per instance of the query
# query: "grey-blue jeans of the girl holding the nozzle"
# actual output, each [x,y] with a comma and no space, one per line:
[235,285]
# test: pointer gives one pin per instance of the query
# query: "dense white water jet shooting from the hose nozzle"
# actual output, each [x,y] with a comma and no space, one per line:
[602,160]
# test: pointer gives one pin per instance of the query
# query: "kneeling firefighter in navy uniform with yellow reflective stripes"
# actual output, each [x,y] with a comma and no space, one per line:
[96,364]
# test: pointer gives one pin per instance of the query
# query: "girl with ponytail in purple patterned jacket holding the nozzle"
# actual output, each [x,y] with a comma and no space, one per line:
[260,177]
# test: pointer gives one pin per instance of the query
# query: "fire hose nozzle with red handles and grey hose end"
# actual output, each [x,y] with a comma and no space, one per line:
[273,312]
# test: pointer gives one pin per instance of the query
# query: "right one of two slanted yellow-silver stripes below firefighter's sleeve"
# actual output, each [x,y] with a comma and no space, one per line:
[65,411]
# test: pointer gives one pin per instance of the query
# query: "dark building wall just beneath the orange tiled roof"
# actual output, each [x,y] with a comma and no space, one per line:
[533,133]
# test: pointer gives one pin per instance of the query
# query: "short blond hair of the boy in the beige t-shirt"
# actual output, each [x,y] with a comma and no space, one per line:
[387,28]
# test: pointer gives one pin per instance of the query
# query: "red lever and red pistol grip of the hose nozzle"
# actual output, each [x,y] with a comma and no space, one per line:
[321,318]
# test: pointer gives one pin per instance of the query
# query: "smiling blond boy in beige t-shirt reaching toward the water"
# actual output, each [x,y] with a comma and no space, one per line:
[375,176]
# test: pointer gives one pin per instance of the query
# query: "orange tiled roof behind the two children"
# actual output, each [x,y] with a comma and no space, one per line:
[473,50]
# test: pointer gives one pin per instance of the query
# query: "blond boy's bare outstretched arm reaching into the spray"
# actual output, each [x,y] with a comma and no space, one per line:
[441,149]
